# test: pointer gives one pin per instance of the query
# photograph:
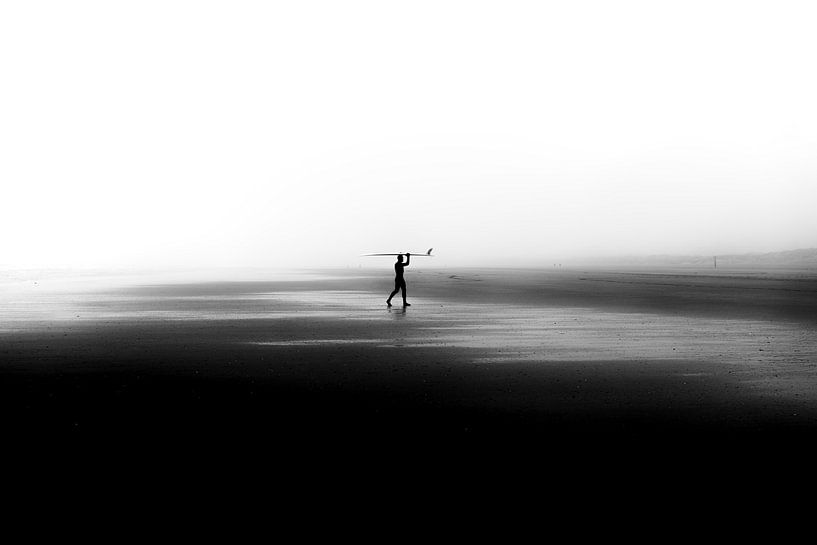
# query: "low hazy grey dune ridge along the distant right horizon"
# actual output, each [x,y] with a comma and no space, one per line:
[790,259]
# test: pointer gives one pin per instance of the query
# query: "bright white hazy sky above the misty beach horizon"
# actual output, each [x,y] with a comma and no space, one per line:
[306,133]
